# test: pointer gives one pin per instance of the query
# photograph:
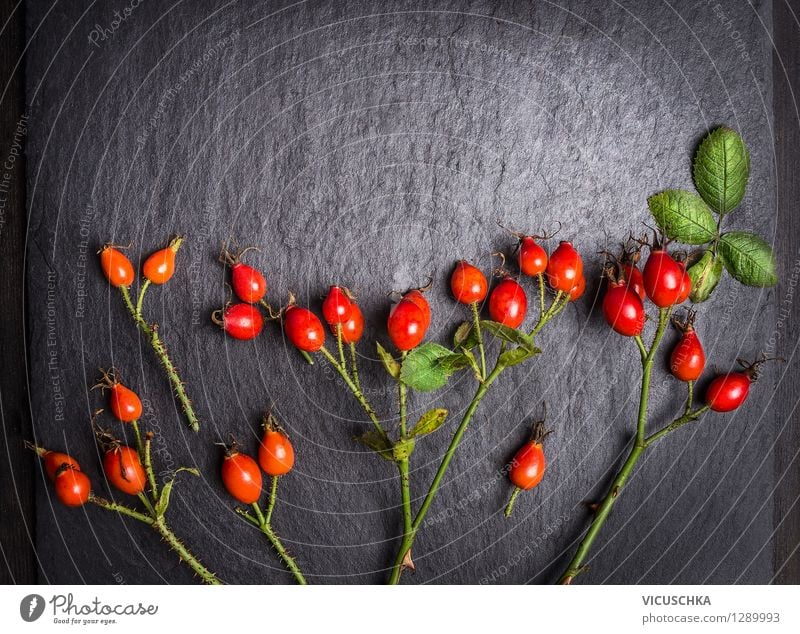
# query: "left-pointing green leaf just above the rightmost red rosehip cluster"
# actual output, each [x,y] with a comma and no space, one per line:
[683,216]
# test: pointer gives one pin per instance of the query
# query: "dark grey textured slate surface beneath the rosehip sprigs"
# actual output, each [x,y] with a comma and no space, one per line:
[370,144]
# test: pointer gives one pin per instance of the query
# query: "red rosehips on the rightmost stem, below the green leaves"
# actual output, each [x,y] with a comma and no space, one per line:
[665,282]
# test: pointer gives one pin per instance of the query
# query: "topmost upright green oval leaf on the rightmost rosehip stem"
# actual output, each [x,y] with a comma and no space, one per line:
[721,169]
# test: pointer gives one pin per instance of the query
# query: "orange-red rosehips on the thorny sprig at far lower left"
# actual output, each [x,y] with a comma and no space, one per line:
[122,465]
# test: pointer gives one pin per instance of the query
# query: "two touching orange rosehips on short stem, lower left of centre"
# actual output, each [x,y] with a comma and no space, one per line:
[240,473]
